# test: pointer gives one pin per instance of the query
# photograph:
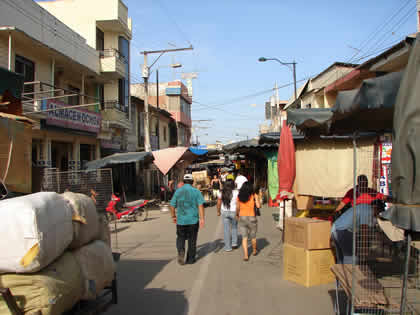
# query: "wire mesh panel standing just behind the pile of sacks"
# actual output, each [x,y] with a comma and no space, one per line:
[94,183]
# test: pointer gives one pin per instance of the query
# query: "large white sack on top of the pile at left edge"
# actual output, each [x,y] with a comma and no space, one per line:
[36,229]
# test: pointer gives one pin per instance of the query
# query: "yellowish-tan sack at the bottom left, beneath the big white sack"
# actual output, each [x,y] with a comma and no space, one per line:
[52,291]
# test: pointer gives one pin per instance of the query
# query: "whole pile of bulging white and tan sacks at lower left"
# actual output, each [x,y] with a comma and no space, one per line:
[54,251]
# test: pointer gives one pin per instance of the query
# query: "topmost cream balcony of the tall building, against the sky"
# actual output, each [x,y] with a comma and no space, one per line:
[116,19]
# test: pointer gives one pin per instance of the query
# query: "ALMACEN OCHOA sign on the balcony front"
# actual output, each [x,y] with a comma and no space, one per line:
[72,118]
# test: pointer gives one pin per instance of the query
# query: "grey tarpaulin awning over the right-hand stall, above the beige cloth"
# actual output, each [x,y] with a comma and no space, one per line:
[368,108]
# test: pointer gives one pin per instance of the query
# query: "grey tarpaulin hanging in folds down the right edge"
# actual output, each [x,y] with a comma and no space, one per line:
[405,212]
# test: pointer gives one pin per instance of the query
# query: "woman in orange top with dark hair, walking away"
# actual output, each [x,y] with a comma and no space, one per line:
[245,213]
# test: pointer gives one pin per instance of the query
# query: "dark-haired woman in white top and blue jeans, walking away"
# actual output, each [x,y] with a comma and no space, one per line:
[226,206]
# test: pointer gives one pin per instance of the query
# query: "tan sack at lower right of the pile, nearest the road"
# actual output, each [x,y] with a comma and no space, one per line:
[98,268]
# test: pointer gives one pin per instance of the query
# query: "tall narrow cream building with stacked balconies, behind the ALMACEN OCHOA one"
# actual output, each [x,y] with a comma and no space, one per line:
[107,28]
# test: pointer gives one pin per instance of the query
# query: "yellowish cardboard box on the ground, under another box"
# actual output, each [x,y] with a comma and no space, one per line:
[307,267]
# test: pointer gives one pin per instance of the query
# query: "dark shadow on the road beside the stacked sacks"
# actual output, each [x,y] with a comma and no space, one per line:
[135,298]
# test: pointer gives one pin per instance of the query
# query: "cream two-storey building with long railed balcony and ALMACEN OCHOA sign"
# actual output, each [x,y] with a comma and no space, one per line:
[60,70]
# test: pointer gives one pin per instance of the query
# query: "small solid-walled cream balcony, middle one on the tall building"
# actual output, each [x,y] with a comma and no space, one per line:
[112,64]
